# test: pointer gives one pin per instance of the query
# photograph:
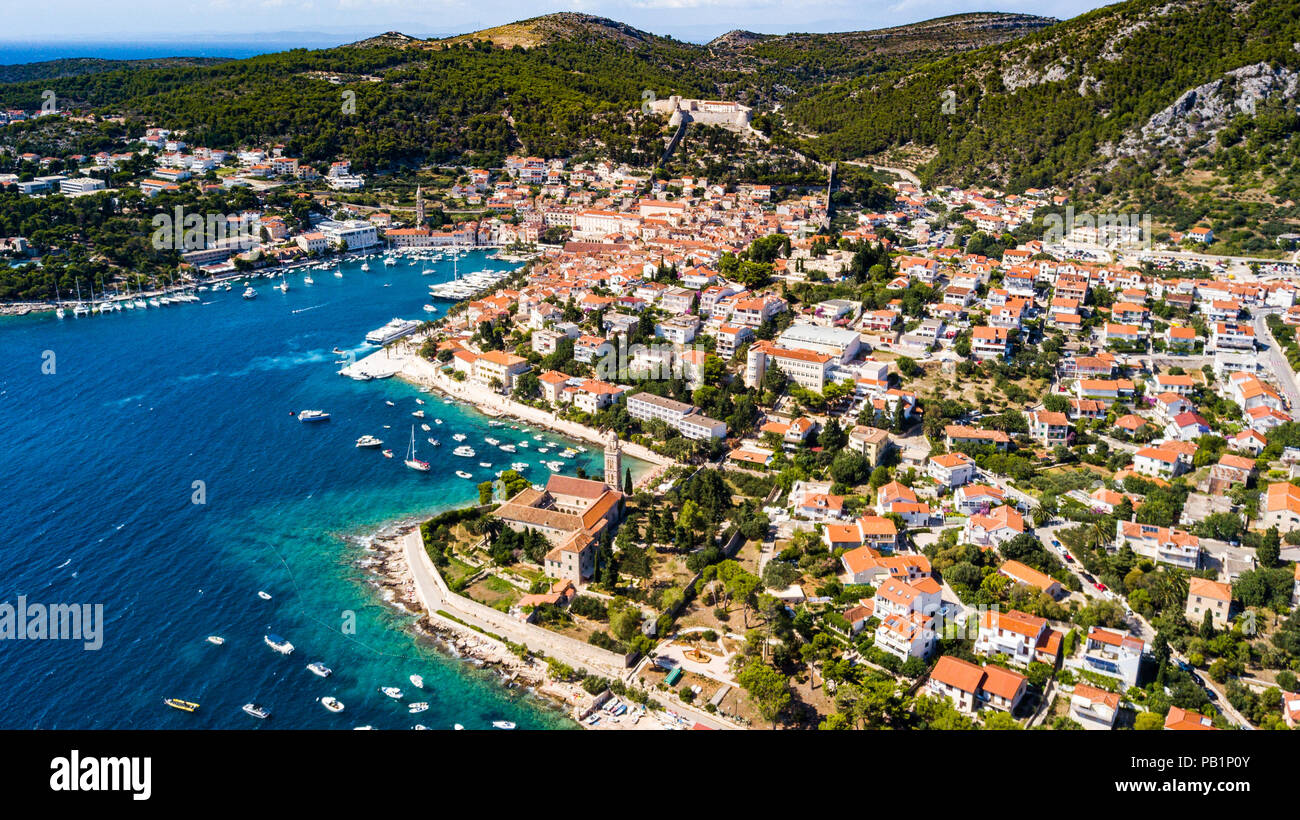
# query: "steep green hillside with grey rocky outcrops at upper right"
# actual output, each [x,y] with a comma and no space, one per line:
[1115,97]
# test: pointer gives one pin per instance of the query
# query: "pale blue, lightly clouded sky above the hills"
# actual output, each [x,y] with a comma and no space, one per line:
[320,23]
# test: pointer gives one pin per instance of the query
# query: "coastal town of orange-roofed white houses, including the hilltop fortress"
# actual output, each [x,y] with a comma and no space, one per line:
[918,466]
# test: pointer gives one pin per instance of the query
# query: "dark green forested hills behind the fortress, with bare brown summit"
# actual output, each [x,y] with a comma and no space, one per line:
[549,86]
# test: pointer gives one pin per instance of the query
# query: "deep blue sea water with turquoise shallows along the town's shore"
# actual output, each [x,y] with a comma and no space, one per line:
[98,466]
